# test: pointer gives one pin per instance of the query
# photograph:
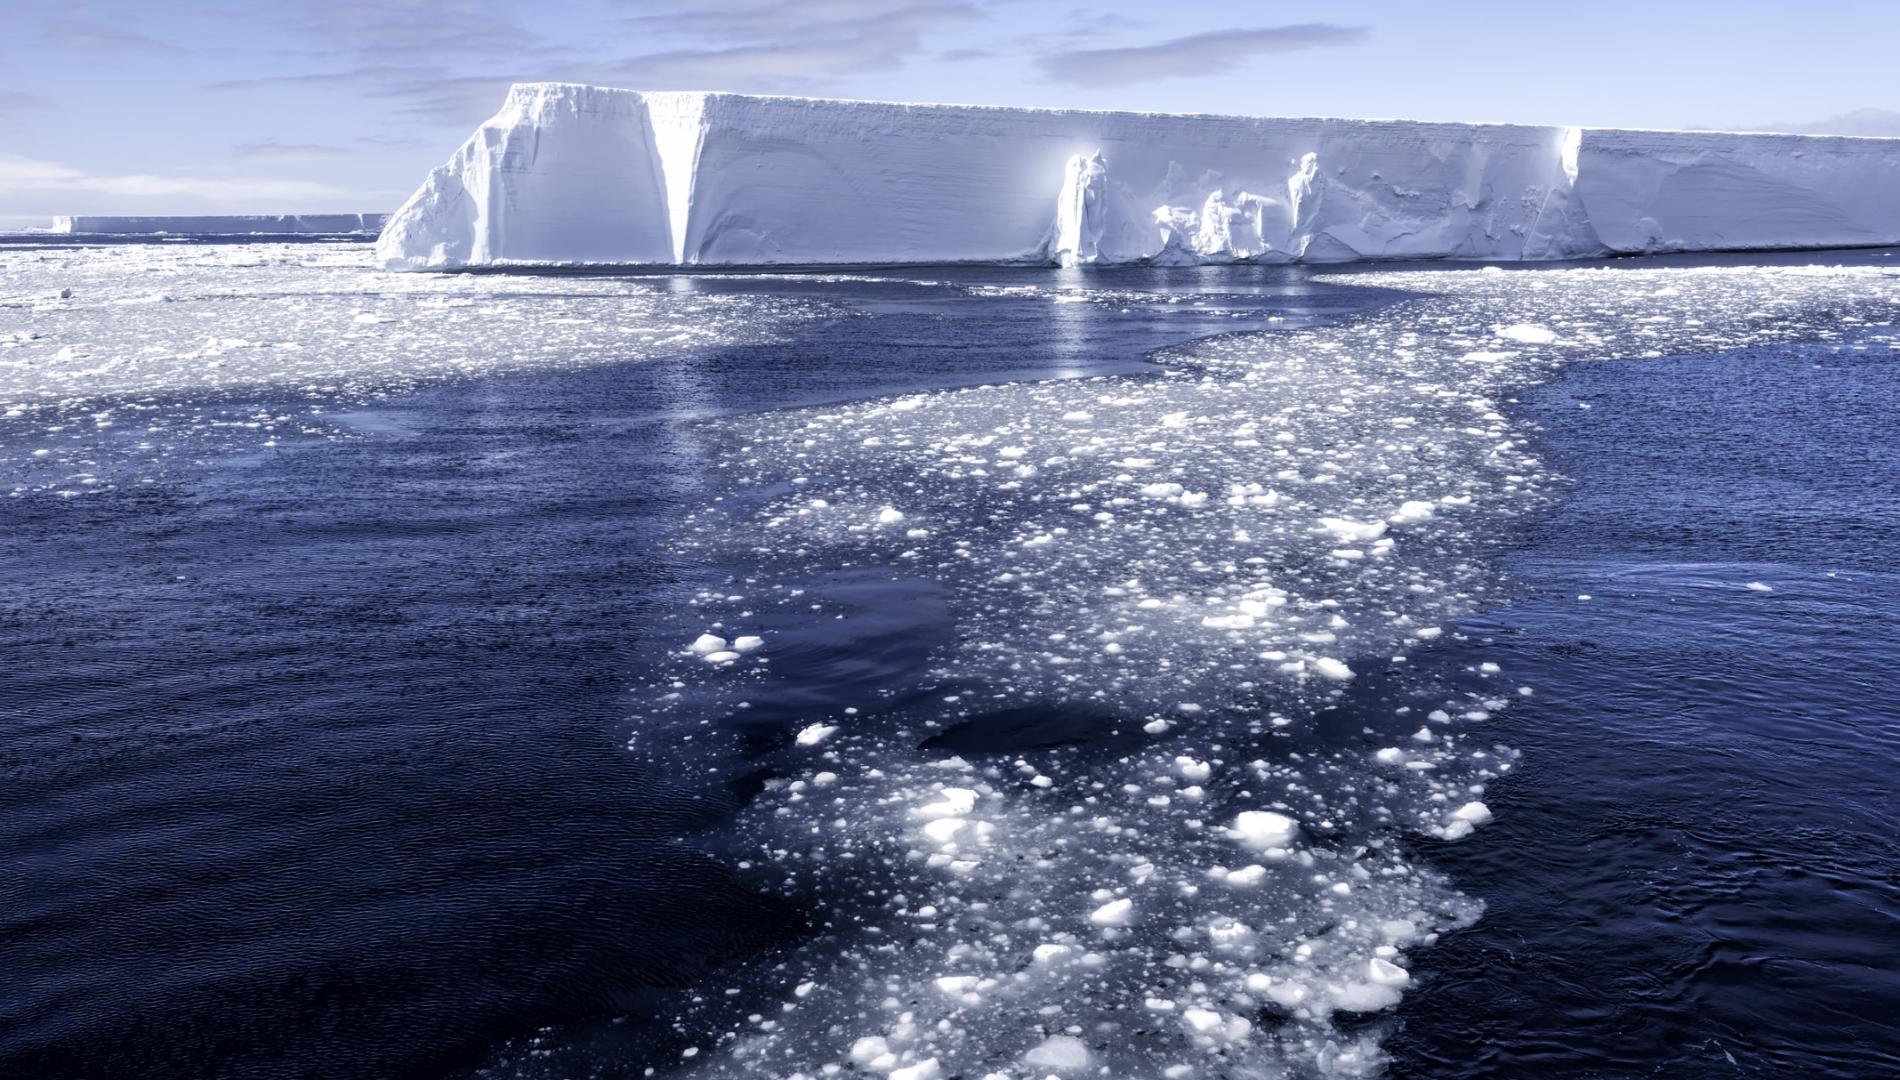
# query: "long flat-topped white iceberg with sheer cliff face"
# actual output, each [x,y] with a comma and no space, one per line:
[596,176]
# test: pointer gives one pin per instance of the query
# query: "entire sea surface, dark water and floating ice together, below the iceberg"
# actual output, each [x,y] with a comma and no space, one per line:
[968,674]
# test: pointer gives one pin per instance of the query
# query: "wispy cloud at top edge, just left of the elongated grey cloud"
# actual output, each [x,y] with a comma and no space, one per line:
[784,45]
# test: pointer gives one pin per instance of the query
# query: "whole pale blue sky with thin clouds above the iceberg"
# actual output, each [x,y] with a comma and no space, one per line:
[345,106]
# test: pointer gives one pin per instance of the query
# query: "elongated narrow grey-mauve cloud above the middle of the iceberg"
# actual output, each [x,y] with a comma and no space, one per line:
[1198,54]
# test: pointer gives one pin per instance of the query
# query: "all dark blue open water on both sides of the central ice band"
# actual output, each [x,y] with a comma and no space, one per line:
[313,760]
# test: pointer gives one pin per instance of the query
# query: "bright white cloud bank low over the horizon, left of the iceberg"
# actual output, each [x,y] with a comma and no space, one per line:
[31,185]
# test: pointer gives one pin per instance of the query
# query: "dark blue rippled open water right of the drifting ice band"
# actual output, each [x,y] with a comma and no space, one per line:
[1698,870]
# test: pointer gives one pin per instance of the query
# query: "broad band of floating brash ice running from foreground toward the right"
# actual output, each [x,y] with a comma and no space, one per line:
[1226,585]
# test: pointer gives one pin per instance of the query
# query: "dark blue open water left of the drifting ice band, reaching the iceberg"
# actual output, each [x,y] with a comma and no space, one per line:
[313,758]
